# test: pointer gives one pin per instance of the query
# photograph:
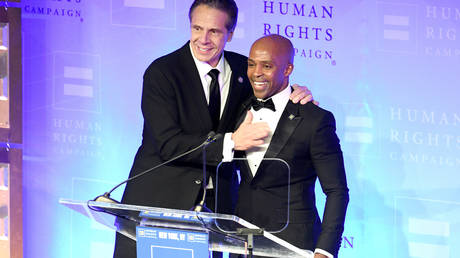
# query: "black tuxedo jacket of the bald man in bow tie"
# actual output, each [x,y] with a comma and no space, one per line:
[305,138]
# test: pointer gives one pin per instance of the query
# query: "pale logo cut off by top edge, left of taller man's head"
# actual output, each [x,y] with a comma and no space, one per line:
[158,14]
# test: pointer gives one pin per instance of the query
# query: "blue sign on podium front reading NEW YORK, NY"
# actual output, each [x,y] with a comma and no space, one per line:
[153,242]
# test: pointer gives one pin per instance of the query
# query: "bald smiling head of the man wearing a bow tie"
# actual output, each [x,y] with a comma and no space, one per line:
[269,66]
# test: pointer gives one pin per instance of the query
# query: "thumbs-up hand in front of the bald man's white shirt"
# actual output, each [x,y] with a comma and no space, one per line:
[250,134]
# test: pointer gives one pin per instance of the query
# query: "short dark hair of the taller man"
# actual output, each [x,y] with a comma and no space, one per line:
[227,6]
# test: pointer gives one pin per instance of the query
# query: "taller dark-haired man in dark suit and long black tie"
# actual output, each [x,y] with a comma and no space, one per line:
[186,95]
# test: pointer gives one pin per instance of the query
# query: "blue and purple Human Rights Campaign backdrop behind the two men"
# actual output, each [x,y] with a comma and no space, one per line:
[387,69]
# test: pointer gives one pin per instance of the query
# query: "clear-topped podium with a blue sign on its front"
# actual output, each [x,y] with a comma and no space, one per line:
[153,223]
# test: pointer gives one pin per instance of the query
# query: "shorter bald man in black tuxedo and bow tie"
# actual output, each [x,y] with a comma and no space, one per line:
[303,136]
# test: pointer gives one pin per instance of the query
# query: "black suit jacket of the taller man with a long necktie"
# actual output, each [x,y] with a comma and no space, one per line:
[176,119]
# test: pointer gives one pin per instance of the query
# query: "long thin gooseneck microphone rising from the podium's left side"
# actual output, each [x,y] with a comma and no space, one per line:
[212,137]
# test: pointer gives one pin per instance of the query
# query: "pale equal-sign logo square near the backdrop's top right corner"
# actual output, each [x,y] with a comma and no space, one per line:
[397,28]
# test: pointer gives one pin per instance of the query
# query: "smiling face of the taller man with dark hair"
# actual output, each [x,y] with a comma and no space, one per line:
[209,33]
